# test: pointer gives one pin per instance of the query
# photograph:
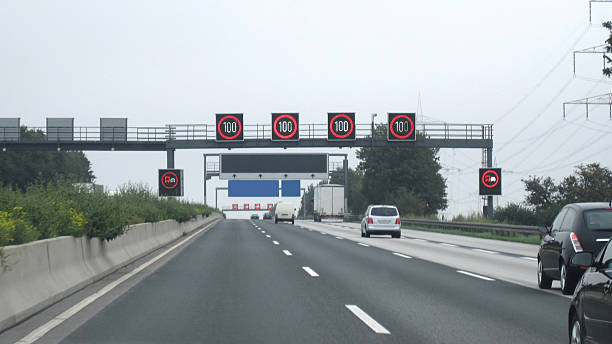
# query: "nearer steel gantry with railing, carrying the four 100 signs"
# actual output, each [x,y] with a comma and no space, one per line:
[203,136]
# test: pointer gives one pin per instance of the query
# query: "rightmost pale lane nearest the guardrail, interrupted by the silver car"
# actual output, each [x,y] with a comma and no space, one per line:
[513,248]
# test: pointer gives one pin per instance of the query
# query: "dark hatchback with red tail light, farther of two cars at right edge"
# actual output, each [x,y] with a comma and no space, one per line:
[578,227]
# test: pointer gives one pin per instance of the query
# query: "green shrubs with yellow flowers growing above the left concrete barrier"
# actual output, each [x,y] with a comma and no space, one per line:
[60,208]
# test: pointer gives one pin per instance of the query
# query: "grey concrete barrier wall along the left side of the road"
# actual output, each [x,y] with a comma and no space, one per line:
[43,272]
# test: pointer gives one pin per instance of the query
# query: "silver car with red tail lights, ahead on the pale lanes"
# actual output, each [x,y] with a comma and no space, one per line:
[381,220]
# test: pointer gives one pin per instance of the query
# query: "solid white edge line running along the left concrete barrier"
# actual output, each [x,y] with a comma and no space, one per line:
[44,329]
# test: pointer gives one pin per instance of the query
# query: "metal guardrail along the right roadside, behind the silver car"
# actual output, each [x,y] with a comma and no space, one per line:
[465,226]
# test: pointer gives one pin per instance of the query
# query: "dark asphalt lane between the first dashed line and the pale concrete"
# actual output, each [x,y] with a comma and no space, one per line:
[421,301]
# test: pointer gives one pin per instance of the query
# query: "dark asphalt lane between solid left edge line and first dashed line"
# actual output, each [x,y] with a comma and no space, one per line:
[231,285]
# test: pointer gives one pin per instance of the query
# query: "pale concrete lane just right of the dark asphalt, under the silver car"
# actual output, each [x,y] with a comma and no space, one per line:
[510,268]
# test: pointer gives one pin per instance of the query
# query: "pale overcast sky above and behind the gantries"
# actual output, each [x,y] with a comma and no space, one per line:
[161,62]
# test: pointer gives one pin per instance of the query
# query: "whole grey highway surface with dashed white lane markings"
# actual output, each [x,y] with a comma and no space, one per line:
[260,282]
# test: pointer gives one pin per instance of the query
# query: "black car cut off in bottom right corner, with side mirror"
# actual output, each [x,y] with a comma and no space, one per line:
[590,313]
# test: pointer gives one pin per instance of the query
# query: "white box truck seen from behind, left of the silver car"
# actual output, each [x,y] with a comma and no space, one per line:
[329,202]
